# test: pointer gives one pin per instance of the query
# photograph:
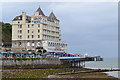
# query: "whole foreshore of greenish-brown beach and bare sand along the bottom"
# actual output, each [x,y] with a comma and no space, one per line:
[51,73]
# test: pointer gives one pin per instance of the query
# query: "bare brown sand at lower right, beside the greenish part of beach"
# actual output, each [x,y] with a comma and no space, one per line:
[85,75]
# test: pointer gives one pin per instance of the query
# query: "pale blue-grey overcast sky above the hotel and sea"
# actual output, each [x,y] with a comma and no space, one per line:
[87,27]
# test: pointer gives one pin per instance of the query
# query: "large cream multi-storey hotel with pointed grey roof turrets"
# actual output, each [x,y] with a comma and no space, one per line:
[38,30]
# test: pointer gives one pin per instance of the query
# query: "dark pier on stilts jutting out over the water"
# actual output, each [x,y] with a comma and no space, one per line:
[78,61]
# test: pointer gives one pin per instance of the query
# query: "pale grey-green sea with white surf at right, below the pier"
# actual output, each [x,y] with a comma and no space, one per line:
[107,63]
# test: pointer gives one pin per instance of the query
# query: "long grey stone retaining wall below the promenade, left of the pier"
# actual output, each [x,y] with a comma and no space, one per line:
[15,63]
